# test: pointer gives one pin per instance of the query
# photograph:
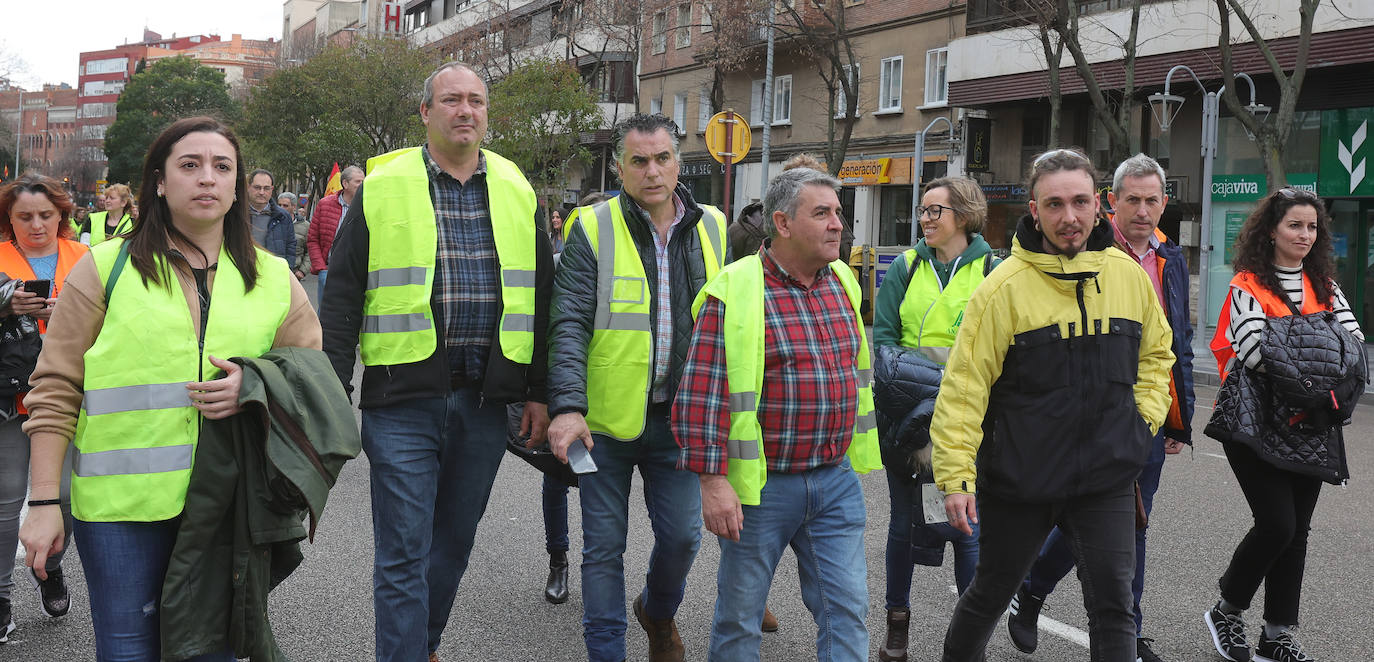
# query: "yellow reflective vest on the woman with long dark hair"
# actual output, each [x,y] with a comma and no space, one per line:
[137,432]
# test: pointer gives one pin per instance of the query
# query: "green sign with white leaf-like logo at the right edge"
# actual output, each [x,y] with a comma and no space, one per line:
[1347,153]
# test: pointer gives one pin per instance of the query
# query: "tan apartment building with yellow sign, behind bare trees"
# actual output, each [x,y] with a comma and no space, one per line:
[899,67]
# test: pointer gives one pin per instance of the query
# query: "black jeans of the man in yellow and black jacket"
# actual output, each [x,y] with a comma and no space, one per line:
[1101,534]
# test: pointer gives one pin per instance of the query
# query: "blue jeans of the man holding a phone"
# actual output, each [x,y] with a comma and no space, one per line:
[673,499]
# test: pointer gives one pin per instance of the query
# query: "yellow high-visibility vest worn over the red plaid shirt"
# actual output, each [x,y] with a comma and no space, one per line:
[741,288]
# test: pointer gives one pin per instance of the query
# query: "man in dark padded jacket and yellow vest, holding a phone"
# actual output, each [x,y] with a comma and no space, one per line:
[629,274]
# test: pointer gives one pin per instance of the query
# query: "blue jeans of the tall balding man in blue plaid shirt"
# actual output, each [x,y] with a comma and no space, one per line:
[433,462]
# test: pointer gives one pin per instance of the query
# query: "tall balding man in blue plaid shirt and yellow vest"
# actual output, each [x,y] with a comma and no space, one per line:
[442,274]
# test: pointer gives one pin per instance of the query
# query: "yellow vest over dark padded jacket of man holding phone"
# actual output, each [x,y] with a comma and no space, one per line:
[622,350]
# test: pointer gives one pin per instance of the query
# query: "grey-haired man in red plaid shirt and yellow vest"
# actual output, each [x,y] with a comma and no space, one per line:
[776,415]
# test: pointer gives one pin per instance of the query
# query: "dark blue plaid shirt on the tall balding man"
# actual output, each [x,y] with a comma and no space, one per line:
[468,284]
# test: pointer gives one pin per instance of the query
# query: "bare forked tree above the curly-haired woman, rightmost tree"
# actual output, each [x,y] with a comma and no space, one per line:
[1272,138]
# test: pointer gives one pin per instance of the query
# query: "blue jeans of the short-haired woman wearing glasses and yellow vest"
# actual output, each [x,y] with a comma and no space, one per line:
[905,499]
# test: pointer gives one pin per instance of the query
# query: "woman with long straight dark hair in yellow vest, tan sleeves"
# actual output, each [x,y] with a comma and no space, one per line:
[138,359]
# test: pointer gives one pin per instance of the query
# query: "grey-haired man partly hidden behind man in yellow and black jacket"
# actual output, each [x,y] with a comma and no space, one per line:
[1138,201]
